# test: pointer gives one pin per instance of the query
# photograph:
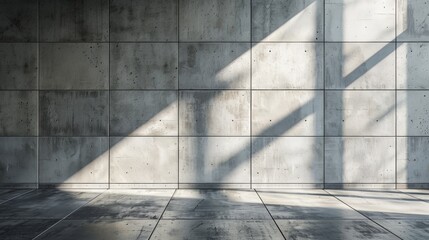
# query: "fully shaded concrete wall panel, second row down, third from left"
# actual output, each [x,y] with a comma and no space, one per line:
[143,66]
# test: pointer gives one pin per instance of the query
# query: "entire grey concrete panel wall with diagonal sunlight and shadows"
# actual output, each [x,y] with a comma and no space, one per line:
[214,93]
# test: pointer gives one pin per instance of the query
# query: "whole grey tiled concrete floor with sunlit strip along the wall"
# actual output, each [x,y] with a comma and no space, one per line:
[214,214]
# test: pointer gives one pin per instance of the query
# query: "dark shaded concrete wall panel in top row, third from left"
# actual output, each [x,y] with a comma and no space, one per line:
[143,20]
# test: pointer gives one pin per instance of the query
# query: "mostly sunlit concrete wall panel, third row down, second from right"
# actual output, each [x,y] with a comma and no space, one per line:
[360,113]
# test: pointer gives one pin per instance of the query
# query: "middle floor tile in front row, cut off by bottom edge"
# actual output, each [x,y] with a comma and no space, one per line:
[216,229]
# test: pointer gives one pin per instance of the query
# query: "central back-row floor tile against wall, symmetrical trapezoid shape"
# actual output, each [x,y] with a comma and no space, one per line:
[216,204]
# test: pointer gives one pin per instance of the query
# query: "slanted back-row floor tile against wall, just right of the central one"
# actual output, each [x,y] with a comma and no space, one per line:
[306,204]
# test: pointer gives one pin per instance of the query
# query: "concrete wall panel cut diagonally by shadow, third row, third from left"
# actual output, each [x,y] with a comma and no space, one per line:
[140,113]
